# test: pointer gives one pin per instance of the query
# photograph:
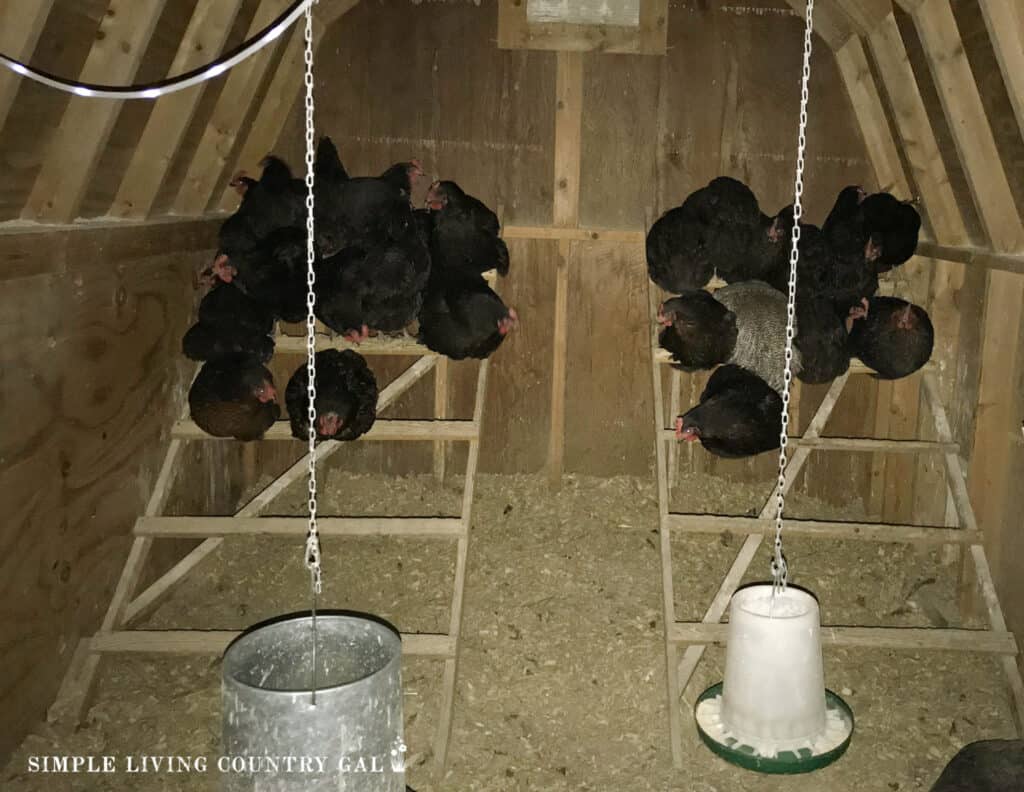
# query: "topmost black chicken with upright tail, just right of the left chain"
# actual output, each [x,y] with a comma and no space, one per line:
[361,213]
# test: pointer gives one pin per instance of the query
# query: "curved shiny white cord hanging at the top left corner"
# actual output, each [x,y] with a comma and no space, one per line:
[172,85]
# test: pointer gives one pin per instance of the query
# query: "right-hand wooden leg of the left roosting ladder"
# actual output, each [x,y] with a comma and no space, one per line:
[451,678]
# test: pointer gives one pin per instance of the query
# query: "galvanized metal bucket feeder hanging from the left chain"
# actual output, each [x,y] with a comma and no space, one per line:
[352,740]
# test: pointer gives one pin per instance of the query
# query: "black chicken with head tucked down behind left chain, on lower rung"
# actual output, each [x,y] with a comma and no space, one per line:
[347,397]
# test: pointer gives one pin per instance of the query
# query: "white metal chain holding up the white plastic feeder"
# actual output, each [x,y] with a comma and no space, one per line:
[780,571]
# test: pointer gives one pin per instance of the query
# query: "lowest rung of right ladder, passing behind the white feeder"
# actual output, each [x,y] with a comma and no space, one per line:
[910,639]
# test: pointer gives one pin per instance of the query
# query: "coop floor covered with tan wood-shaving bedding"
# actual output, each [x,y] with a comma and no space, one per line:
[563,678]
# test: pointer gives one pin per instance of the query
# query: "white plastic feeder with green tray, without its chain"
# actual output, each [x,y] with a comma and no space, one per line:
[774,706]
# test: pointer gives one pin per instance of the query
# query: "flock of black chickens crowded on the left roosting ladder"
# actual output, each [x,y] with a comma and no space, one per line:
[381,266]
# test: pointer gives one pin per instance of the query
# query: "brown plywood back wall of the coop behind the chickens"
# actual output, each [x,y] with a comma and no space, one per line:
[654,130]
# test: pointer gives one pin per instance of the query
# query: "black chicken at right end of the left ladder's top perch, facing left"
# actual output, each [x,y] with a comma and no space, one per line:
[465,233]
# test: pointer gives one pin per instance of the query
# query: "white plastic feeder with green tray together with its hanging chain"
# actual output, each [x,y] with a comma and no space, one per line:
[774,714]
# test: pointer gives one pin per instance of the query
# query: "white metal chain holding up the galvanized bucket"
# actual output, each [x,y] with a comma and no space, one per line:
[313,551]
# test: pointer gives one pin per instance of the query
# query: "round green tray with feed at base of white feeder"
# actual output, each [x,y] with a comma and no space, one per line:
[785,763]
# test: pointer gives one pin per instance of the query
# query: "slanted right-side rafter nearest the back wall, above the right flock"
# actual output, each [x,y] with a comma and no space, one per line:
[871,115]
